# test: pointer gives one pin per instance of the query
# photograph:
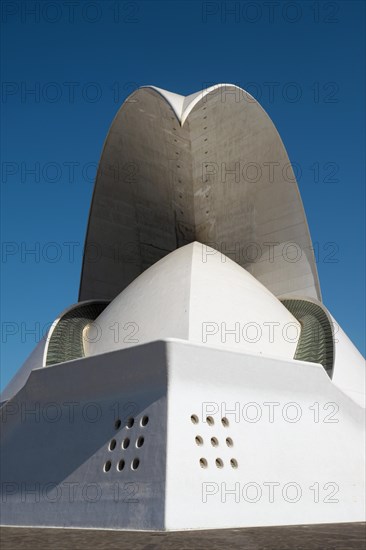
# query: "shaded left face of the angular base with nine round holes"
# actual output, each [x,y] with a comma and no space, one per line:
[83,444]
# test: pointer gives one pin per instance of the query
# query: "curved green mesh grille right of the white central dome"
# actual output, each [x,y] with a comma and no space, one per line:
[316,338]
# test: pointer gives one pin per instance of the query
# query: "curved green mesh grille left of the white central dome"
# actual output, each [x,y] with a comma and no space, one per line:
[66,342]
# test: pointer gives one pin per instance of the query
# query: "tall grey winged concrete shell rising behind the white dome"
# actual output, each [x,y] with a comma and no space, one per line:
[210,167]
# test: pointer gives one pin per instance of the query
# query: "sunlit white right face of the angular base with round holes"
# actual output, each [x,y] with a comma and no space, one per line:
[262,441]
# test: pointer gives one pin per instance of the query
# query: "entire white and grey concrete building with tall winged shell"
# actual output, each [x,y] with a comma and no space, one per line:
[186,389]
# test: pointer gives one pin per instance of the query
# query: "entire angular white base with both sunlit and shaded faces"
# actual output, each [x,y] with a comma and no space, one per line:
[209,438]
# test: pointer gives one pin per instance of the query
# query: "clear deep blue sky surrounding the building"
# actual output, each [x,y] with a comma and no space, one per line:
[304,61]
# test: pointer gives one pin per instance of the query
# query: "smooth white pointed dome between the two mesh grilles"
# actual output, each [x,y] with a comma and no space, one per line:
[201,308]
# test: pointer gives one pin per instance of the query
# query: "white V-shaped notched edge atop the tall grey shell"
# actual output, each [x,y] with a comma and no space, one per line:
[183,105]
